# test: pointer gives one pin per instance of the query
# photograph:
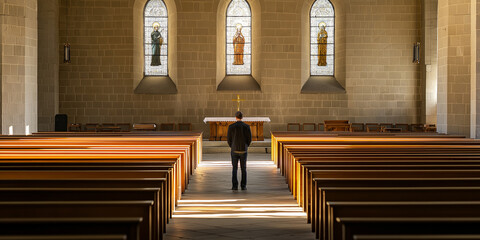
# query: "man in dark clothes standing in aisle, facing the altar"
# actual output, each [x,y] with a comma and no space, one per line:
[239,138]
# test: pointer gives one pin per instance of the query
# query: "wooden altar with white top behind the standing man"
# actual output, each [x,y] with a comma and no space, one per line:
[219,127]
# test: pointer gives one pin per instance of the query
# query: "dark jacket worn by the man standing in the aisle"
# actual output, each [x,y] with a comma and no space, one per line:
[239,136]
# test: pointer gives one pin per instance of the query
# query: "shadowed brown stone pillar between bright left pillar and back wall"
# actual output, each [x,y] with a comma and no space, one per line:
[48,63]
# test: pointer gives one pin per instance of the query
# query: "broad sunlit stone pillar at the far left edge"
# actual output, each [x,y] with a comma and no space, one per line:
[19,66]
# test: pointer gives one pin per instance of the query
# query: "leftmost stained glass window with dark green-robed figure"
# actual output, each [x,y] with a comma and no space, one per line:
[156,38]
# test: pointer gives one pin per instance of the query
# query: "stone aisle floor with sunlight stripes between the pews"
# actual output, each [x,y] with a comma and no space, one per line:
[210,210]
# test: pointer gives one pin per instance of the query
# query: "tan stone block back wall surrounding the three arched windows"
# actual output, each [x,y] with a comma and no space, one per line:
[382,83]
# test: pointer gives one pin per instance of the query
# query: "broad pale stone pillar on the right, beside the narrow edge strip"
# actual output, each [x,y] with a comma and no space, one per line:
[454,67]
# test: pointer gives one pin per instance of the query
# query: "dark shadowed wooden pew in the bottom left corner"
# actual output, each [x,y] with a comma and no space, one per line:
[77,228]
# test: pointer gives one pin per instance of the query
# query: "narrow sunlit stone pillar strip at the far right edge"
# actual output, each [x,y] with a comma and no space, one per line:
[475,62]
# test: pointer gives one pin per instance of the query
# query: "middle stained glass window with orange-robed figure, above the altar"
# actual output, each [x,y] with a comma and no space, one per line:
[239,38]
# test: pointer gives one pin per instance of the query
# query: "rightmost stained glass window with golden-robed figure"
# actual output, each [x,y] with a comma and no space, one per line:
[322,38]
